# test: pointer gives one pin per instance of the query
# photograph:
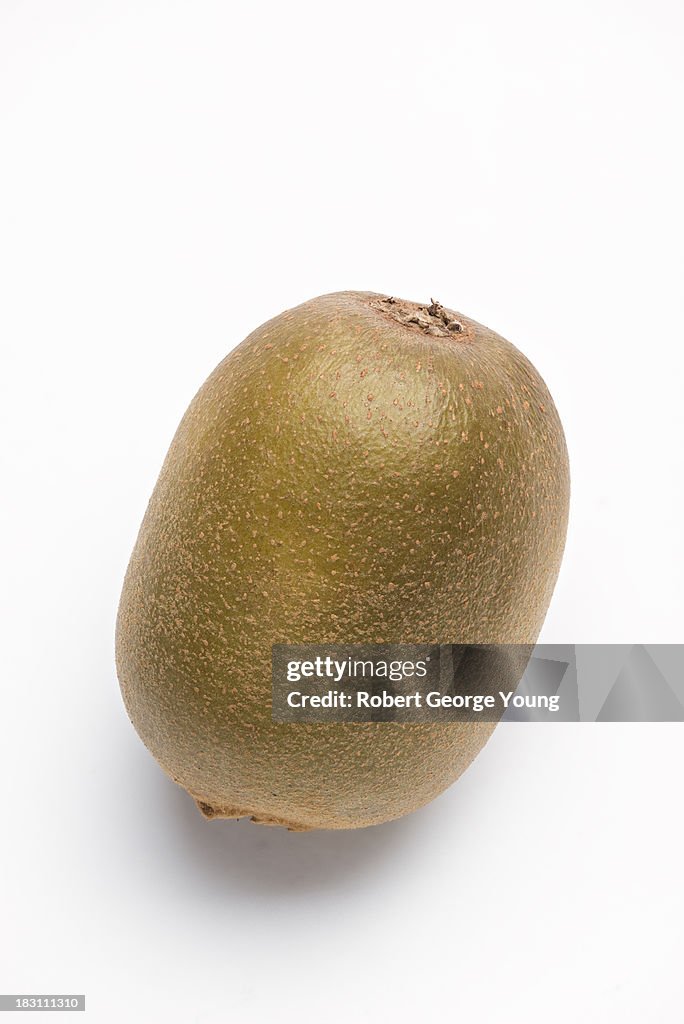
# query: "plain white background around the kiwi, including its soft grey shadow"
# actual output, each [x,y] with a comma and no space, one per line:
[174,175]
